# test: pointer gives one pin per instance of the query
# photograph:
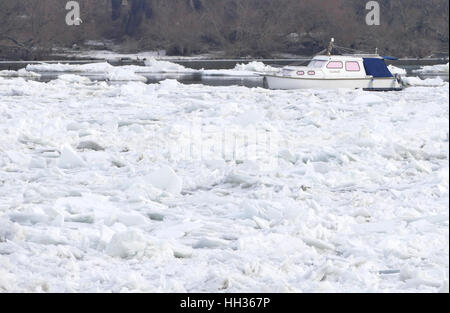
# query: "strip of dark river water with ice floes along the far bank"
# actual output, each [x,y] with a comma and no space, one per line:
[198,71]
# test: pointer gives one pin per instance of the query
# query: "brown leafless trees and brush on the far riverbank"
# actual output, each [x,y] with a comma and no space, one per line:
[237,27]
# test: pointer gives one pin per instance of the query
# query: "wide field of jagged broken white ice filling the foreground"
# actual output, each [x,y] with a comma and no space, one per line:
[97,192]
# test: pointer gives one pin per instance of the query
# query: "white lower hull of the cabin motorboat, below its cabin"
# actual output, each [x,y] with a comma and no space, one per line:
[374,84]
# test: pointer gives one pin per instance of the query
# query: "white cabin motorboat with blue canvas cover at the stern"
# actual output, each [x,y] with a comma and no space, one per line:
[368,72]
